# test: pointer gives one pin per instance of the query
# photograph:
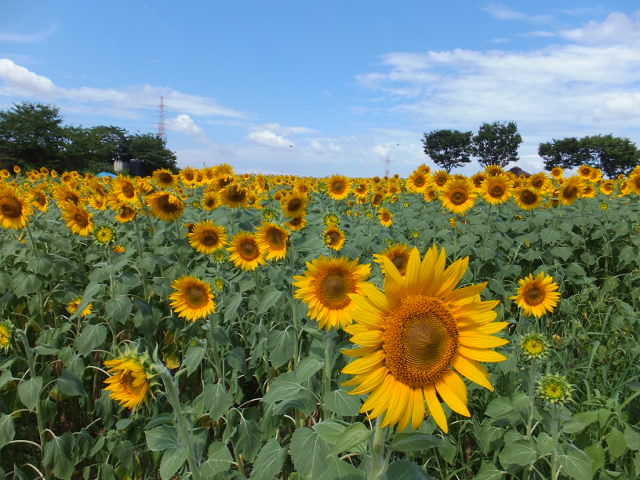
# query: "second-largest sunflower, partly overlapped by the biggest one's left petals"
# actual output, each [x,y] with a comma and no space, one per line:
[326,287]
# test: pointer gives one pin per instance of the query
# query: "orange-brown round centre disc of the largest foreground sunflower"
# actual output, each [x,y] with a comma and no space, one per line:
[420,341]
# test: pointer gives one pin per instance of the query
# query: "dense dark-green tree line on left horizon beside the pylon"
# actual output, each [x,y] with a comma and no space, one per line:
[32,135]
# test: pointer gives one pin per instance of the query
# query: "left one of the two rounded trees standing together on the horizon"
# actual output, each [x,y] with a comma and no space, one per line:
[448,148]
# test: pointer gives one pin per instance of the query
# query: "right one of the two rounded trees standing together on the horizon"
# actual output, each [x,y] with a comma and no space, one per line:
[497,143]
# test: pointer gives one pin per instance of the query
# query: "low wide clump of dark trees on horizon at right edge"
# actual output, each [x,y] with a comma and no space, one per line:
[612,155]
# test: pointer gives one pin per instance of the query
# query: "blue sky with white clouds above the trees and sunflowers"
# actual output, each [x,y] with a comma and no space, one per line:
[323,87]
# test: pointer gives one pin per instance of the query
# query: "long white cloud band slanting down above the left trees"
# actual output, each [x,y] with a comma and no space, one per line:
[19,81]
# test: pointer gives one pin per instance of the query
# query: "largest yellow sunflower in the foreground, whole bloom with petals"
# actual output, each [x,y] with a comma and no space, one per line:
[418,337]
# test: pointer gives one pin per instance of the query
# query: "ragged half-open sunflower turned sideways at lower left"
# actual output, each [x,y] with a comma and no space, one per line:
[131,380]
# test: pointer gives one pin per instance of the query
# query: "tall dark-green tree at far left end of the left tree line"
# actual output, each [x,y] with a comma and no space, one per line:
[31,135]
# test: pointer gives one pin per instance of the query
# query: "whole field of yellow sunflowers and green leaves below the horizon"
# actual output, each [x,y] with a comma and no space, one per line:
[214,325]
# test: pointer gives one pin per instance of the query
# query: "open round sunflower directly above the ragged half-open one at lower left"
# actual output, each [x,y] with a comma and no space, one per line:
[192,299]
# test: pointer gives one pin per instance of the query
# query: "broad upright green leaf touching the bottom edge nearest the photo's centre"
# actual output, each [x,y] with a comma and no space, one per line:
[309,452]
